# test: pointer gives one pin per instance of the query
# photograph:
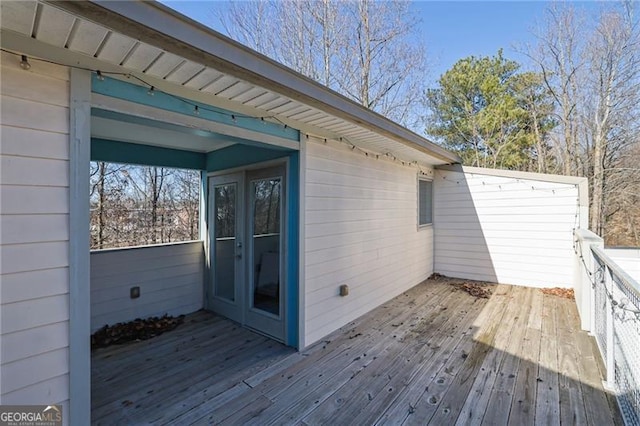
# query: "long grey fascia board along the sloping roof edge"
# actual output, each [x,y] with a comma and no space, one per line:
[161,26]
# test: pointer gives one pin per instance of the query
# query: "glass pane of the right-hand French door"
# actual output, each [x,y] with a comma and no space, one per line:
[266,203]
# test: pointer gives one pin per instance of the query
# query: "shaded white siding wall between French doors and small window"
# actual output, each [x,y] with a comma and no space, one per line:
[360,230]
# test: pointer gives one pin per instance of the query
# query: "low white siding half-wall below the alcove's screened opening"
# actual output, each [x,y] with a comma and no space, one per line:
[170,278]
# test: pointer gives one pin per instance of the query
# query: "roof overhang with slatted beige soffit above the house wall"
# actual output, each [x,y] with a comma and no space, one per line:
[125,45]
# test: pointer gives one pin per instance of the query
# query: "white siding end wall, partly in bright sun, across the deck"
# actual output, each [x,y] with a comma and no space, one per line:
[509,229]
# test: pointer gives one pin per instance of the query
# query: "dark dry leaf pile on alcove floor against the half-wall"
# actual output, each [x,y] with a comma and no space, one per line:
[138,329]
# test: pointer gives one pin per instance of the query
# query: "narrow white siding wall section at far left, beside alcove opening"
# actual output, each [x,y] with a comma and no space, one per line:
[34,233]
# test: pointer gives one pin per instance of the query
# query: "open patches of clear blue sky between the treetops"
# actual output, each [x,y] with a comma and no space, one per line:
[452,30]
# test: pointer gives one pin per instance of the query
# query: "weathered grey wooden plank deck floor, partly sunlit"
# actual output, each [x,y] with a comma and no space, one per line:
[434,355]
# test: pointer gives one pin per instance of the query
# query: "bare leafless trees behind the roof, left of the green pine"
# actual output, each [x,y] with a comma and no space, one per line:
[364,49]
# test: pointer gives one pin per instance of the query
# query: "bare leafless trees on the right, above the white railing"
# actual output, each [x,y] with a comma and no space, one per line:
[592,70]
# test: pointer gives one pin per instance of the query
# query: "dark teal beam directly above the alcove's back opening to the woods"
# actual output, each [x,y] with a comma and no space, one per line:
[146,155]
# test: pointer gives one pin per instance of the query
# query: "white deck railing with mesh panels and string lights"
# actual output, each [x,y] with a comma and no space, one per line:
[609,304]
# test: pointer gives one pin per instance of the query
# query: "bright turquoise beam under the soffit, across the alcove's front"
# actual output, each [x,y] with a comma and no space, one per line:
[140,95]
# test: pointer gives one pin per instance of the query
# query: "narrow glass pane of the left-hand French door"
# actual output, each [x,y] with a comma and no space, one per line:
[225,240]
